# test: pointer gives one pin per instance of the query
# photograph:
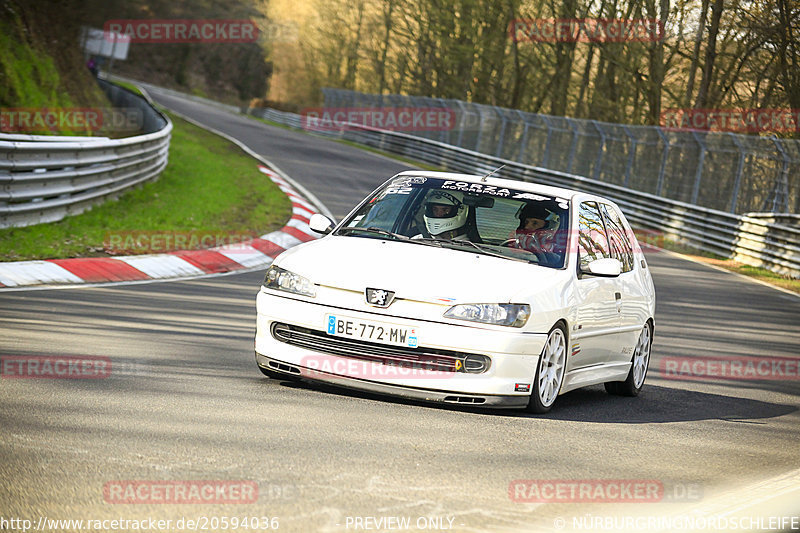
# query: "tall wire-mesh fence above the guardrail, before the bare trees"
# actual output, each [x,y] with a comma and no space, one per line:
[718,170]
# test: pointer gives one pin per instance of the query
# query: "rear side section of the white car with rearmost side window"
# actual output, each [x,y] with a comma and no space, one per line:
[633,303]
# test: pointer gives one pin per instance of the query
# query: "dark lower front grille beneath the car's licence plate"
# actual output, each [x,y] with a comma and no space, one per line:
[420,358]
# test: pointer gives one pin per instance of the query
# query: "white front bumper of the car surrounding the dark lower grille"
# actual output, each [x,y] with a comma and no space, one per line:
[507,383]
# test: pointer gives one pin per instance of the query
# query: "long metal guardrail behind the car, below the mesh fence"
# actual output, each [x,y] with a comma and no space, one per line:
[752,240]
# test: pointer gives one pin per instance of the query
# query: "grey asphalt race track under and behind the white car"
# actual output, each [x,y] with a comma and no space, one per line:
[184,401]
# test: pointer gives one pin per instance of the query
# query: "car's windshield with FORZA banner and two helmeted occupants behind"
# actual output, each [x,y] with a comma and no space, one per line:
[474,217]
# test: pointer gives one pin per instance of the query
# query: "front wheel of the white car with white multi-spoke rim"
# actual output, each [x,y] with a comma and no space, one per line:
[552,360]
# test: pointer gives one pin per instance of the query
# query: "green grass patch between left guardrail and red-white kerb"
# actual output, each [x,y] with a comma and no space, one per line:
[209,187]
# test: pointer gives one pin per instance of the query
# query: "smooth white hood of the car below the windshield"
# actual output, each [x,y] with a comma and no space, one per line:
[414,271]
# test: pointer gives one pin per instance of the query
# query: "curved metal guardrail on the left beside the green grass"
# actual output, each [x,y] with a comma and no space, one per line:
[46,178]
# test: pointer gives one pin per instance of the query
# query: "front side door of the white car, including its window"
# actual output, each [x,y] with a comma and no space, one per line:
[594,335]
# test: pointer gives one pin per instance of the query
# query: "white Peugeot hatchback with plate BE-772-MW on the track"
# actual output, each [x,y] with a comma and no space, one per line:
[466,290]
